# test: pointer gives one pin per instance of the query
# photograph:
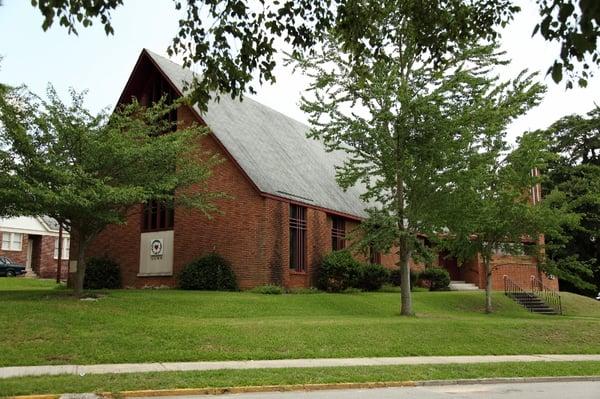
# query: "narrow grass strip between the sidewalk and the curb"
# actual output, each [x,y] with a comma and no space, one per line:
[236,378]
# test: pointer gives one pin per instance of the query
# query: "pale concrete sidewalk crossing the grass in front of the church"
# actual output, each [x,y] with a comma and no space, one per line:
[9,372]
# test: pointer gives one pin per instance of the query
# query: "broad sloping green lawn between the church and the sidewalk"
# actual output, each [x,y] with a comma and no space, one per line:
[45,325]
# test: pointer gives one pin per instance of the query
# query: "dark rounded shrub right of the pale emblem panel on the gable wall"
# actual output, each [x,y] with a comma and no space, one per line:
[211,272]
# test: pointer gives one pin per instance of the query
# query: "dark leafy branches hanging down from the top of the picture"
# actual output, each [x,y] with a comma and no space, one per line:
[232,39]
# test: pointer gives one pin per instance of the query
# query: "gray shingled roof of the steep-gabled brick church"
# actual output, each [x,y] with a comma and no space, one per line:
[273,149]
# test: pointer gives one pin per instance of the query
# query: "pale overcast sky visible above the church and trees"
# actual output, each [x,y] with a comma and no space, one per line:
[102,64]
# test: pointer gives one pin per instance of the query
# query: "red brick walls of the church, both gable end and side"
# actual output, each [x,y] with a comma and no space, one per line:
[250,230]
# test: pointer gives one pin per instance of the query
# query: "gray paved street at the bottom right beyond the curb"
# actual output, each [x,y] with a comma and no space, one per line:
[539,390]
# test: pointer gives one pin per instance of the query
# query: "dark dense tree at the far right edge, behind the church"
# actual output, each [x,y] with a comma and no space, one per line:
[575,256]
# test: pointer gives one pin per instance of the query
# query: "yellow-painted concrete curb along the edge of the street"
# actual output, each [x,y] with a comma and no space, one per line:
[318,387]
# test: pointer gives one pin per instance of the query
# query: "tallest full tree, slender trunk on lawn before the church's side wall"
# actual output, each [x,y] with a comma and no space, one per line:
[410,122]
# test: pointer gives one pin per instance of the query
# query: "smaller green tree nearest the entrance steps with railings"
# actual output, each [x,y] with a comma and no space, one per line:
[503,216]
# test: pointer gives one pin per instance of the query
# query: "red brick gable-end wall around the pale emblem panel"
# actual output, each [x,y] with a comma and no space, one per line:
[235,232]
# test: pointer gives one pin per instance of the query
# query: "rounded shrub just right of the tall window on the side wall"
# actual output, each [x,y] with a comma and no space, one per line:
[338,271]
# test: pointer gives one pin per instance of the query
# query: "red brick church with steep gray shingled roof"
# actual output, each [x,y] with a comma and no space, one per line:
[284,211]
